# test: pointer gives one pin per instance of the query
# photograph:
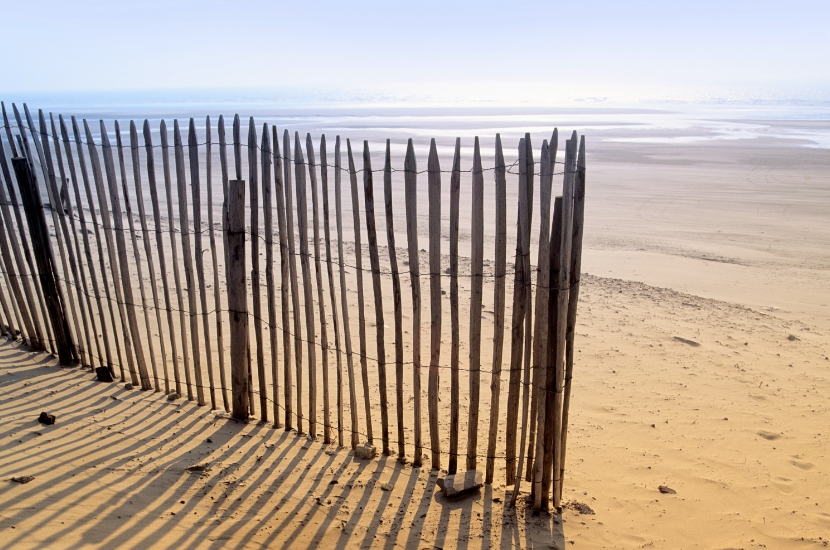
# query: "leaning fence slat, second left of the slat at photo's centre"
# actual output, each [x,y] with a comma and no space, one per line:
[371,230]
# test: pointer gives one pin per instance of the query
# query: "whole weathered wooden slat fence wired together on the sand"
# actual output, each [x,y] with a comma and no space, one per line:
[91,304]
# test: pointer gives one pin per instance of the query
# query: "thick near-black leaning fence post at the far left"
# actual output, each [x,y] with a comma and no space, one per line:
[39,233]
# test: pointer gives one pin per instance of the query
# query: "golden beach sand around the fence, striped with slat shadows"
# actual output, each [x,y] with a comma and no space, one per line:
[702,366]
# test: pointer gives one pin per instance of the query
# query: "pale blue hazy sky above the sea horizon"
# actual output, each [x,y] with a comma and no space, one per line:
[476,49]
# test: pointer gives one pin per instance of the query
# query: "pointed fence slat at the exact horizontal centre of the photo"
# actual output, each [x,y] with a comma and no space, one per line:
[411,198]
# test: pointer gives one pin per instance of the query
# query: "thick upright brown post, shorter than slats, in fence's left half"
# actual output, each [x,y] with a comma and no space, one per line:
[237,298]
